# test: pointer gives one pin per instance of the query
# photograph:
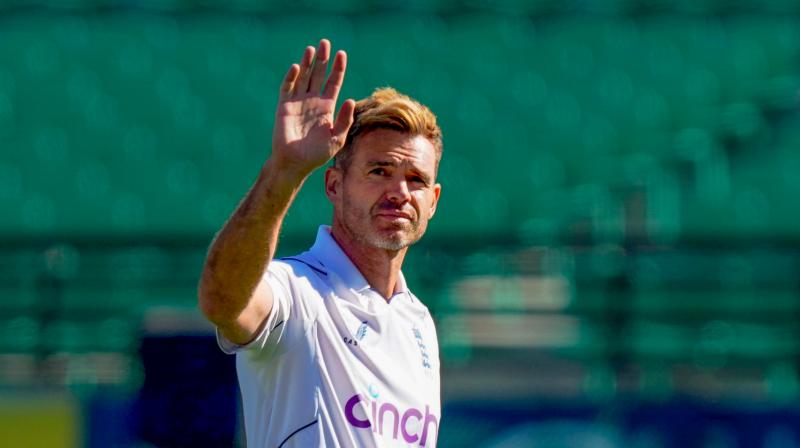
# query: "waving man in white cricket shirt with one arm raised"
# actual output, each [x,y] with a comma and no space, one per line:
[332,348]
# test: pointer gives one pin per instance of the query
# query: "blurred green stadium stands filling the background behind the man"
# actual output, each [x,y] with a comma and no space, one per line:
[615,256]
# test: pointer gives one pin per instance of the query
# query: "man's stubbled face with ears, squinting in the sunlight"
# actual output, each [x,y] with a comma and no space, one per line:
[388,193]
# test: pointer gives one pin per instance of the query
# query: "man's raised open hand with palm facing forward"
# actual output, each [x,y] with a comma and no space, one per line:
[306,135]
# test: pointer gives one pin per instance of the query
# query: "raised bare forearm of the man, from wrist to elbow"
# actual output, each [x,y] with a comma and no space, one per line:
[244,247]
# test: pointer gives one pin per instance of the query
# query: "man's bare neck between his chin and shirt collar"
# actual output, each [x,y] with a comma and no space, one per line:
[380,267]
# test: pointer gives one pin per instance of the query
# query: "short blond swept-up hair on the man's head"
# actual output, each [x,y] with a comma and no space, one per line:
[386,108]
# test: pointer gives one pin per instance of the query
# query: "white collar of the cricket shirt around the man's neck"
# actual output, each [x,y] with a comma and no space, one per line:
[328,252]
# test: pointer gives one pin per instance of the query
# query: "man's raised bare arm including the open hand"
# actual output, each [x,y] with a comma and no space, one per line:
[232,292]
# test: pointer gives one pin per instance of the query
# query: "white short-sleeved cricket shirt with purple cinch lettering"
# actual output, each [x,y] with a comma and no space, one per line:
[336,365]
